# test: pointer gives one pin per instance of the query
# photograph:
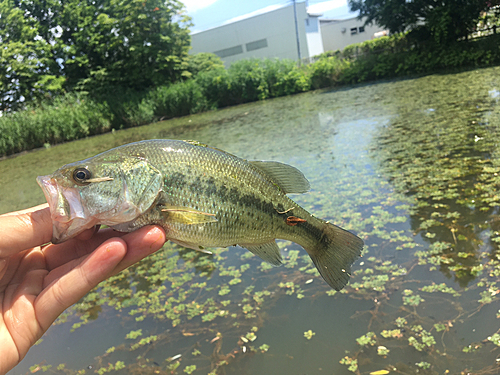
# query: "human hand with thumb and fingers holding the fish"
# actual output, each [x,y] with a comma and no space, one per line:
[37,282]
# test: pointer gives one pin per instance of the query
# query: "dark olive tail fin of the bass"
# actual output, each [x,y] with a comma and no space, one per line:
[334,253]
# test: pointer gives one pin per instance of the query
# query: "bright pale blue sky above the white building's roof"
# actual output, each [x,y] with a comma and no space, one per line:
[206,14]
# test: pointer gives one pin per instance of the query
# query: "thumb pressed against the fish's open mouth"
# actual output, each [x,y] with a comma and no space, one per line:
[24,230]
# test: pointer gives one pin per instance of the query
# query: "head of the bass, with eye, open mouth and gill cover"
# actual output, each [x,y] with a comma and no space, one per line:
[106,190]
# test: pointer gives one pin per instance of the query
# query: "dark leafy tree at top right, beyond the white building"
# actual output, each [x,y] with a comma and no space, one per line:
[442,21]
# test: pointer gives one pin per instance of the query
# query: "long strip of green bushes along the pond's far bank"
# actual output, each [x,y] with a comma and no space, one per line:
[212,86]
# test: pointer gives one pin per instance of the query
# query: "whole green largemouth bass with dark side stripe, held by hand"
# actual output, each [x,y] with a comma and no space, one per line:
[204,197]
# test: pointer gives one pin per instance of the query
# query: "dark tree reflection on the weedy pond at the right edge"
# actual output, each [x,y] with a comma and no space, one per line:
[445,159]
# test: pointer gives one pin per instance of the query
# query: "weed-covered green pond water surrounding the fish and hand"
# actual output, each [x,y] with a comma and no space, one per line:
[412,167]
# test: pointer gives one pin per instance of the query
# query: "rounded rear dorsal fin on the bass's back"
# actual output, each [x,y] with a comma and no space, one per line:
[288,178]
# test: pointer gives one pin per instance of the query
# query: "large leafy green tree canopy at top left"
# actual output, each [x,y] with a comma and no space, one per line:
[50,46]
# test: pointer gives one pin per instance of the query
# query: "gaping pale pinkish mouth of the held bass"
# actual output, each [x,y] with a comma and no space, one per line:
[69,217]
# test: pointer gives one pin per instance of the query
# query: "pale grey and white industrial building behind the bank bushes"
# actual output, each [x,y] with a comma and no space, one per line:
[275,34]
